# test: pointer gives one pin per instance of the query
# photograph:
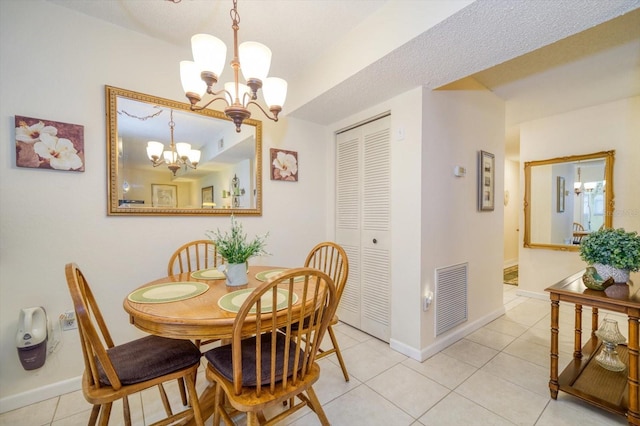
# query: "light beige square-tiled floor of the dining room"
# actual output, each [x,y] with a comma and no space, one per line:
[498,375]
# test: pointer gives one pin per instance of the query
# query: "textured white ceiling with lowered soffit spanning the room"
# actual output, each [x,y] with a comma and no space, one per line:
[542,57]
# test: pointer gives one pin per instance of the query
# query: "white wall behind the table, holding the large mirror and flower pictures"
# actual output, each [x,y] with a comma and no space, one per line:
[54,65]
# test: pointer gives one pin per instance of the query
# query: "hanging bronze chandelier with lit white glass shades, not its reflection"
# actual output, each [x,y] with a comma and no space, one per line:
[209,55]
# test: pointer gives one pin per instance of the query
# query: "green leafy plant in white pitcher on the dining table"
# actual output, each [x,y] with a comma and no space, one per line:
[236,250]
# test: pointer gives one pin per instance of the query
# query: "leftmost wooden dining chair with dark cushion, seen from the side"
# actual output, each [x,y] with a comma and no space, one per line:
[114,372]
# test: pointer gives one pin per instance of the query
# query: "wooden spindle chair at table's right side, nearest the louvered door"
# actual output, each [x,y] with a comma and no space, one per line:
[331,259]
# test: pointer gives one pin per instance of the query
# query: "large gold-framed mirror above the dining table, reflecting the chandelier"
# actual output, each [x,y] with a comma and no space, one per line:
[227,178]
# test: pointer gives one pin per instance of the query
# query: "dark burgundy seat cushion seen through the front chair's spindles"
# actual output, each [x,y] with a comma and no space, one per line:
[221,359]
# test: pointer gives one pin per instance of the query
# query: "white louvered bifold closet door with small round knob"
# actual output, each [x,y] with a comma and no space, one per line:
[363,225]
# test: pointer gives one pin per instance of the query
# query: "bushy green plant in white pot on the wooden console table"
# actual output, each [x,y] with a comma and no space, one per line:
[613,252]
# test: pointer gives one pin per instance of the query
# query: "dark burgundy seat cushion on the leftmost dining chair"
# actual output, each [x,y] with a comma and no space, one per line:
[150,357]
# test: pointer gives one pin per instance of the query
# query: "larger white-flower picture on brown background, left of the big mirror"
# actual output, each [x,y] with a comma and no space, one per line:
[46,144]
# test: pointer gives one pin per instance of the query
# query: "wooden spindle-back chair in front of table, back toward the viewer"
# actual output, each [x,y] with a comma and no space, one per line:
[269,361]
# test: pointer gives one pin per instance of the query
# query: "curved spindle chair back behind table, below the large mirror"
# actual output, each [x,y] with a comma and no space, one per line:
[193,256]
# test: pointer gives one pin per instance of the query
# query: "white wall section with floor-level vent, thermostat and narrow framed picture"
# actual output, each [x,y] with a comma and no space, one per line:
[456,126]
